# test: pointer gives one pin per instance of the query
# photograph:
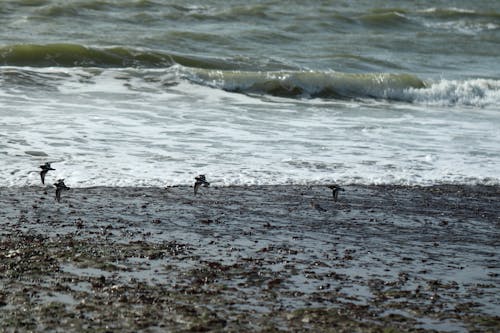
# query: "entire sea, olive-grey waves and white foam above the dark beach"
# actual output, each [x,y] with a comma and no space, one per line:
[153,93]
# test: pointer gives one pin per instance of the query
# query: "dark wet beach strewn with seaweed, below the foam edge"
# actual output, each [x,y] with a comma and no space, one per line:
[259,258]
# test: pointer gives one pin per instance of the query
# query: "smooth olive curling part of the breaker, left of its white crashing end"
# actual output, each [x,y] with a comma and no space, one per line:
[309,84]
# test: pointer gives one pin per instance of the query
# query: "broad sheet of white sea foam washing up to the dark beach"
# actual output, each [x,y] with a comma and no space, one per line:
[117,128]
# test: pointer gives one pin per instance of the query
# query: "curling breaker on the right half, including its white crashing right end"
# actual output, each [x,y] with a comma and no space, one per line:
[334,85]
